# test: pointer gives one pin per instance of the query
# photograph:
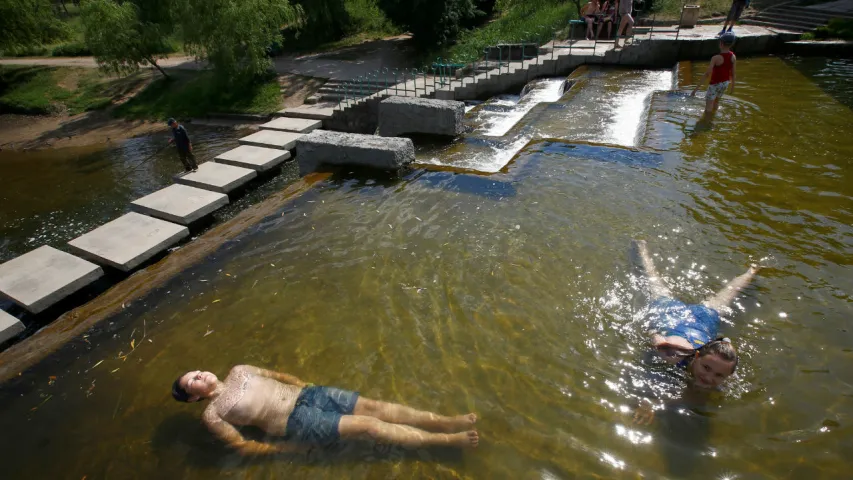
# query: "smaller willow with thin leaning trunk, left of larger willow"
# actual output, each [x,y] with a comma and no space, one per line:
[122,38]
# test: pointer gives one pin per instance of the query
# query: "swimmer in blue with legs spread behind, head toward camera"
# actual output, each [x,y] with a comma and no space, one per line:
[686,335]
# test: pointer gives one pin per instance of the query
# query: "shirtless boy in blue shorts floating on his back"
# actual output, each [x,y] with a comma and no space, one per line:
[309,415]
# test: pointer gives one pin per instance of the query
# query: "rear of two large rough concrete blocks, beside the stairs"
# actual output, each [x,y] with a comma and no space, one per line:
[398,115]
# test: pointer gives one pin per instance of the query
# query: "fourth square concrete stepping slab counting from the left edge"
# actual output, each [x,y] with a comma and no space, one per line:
[180,203]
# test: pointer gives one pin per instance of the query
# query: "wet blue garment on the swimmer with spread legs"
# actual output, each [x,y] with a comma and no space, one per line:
[697,324]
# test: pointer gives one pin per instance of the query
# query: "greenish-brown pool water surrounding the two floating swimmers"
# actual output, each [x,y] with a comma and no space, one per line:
[511,293]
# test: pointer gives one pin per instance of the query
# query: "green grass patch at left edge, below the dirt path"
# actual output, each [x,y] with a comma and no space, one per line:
[45,90]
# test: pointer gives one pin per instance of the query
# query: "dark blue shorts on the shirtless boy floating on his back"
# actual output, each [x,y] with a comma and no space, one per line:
[318,413]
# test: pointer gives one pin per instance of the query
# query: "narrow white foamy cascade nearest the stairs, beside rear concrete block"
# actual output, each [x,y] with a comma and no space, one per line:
[512,108]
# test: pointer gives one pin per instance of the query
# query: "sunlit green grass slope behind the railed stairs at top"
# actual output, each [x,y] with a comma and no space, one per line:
[534,20]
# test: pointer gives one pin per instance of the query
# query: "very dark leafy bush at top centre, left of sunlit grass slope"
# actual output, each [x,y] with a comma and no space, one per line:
[432,22]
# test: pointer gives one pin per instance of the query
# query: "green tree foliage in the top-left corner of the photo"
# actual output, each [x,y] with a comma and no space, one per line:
[25,23]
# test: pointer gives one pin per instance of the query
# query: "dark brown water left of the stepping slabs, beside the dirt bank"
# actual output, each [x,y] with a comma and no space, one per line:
[52,196]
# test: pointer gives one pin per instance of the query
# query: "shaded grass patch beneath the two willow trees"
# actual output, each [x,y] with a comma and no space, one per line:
[194,94]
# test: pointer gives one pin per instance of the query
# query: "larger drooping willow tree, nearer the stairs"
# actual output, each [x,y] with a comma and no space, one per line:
[235,36]
